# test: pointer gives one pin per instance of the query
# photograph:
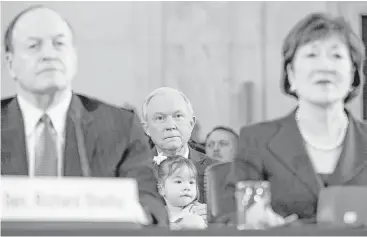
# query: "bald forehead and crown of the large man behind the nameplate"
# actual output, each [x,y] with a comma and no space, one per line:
[41,23]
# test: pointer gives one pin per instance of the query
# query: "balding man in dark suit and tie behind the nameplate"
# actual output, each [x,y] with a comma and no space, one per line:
[47,130]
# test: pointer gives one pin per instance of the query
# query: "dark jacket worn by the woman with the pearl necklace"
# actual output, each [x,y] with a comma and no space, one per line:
[275,151]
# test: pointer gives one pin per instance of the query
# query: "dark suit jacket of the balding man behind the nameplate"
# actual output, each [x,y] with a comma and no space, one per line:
[101,141]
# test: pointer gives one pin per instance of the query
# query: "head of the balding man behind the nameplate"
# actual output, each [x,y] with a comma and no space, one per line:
[40,51]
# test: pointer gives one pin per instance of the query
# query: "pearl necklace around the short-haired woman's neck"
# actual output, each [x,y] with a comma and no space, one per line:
[338,142]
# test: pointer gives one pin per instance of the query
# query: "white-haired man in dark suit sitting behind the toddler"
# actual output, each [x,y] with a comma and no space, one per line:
[168,119]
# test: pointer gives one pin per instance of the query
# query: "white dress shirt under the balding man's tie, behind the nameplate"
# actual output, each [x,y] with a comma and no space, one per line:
[31,117]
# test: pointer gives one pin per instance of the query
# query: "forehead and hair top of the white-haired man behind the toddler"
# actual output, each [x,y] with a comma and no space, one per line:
[167,103]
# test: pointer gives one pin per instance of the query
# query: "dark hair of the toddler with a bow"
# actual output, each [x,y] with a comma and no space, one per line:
[170,165]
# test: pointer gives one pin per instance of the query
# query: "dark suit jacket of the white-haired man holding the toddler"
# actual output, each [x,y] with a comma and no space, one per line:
[201,161]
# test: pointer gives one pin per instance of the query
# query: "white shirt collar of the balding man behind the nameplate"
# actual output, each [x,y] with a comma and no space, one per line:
[57,114]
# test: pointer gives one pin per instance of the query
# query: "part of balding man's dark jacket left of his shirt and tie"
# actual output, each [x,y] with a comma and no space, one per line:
[14,159]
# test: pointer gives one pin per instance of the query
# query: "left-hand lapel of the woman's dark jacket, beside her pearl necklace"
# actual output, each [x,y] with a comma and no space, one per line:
[287,146]
